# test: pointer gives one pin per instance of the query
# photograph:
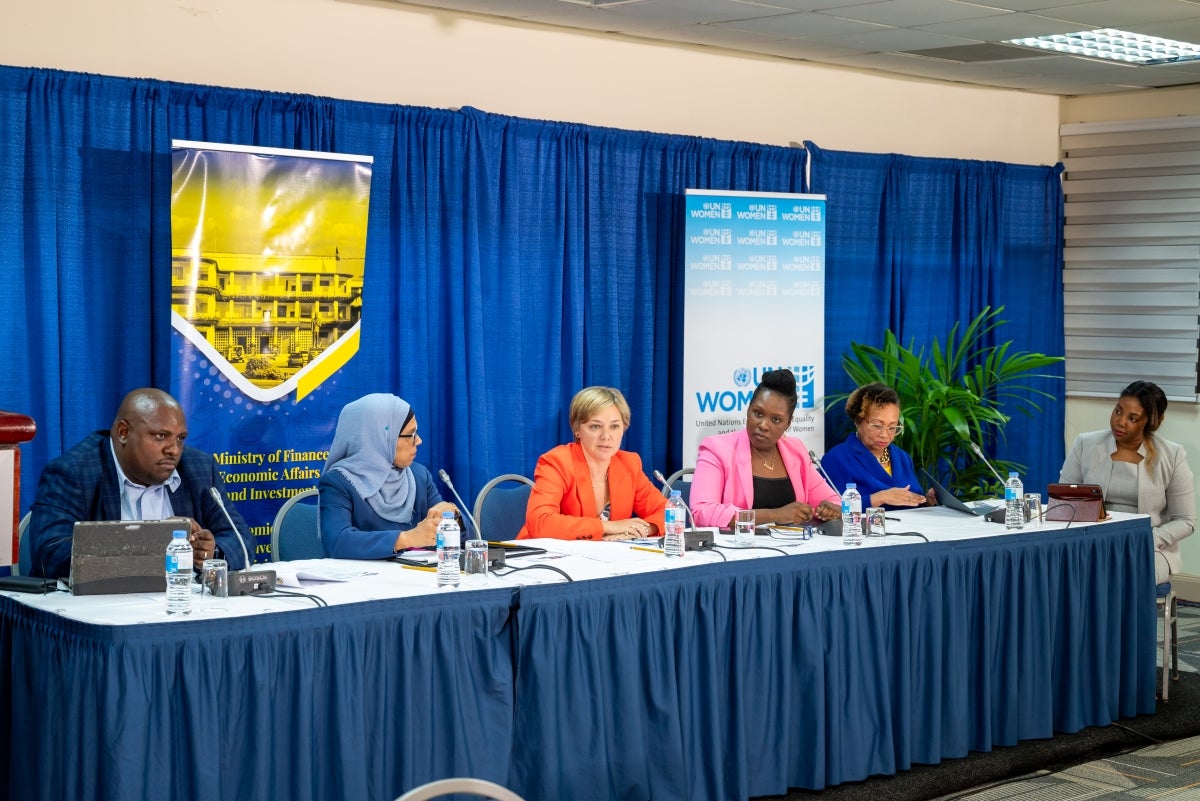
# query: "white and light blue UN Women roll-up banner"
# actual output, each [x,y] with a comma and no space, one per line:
[754,300]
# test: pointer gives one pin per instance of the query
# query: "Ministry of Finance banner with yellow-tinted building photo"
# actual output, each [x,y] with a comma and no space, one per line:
[268,255]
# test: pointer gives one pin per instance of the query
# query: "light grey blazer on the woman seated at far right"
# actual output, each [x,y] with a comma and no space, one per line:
[1166,492]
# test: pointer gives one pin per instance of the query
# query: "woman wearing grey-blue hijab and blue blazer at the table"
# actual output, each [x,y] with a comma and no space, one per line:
[375,499]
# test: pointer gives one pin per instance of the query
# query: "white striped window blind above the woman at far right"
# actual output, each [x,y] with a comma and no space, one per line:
[1132,255]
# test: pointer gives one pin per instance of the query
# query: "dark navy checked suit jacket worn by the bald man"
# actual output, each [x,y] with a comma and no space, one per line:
[82,485]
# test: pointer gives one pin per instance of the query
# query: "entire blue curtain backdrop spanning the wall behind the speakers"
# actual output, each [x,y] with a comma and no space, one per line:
[509,262]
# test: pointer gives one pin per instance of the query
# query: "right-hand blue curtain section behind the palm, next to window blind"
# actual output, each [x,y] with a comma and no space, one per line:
[916,245]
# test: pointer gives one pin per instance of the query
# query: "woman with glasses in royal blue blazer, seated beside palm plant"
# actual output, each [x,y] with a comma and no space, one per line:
[884,472]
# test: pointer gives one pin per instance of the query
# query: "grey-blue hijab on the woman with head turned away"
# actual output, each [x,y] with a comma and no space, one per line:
[364,450]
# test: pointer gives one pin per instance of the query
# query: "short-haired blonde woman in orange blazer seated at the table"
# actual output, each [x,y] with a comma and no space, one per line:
[591,490]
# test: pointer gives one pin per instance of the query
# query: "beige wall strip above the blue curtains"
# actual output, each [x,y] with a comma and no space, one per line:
[393,53]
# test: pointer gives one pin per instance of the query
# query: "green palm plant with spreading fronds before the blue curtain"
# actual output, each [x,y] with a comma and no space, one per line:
[953,395]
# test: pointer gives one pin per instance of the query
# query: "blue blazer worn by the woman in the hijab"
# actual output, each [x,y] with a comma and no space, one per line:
[351,529]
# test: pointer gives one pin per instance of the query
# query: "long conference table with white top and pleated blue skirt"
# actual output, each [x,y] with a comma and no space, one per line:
[646,678]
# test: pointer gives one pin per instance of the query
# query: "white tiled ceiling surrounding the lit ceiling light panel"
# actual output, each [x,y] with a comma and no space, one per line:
[873,34]
